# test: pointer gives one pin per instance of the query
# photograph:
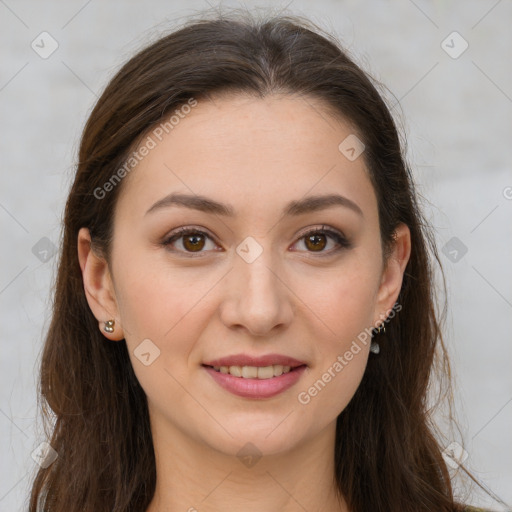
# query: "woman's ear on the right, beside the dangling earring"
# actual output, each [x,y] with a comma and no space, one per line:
[392,275]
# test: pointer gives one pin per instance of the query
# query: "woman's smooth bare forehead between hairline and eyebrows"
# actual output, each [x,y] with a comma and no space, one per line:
[251,152]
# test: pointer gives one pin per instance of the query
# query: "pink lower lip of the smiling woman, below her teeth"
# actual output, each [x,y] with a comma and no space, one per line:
[256,388]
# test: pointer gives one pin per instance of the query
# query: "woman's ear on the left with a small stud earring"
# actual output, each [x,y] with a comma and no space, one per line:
[98,286]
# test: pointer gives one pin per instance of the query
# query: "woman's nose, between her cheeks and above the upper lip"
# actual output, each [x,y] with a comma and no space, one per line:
[256,297]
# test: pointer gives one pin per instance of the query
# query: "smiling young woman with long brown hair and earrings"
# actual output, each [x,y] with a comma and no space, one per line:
[244,314]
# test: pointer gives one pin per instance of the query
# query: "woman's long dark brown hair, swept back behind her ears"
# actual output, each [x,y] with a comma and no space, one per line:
[387,457]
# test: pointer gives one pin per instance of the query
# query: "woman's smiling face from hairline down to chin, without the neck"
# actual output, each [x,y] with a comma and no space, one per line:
[262,272]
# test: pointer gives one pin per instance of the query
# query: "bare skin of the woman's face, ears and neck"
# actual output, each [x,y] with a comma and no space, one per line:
[256,155]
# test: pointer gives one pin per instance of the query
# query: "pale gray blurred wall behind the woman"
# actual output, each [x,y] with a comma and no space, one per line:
[457,113]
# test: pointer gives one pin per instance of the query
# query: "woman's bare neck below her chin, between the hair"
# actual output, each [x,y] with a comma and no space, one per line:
[195,477]
